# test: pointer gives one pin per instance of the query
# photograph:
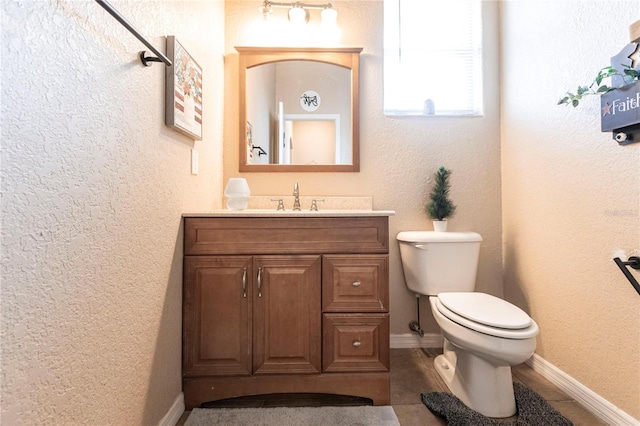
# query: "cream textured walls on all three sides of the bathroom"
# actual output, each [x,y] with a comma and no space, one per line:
[93,186]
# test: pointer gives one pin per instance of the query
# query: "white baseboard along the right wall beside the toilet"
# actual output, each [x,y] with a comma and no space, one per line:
[590,400]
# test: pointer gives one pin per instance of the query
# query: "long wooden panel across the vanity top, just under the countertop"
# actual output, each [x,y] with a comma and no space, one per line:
[284,235]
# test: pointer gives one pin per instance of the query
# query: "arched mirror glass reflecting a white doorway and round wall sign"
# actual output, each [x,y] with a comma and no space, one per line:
[305,96]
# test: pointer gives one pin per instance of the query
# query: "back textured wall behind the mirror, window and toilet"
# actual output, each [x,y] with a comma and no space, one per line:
[398,155]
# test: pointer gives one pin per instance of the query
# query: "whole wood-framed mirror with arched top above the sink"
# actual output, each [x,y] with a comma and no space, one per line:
[299,109]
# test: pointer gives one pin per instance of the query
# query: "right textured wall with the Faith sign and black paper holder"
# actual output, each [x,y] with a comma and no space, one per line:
[571,195]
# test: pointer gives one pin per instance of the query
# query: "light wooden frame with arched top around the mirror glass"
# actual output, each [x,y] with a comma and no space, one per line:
[345,57]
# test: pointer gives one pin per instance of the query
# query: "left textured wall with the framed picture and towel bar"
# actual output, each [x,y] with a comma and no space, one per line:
[93,187]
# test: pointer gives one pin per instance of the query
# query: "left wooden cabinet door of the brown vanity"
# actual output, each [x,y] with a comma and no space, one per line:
[217,315]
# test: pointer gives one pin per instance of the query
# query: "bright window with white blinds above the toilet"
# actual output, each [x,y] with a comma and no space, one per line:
[432,57]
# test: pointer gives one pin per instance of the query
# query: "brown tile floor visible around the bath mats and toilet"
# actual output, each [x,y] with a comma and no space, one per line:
[412,373]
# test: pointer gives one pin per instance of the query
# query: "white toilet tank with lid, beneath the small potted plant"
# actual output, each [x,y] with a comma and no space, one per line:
[435,262]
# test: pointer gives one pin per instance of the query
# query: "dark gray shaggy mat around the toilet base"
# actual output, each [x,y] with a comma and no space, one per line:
[533,410]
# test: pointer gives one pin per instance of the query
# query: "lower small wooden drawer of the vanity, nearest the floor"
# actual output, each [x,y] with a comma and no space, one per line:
[355,342]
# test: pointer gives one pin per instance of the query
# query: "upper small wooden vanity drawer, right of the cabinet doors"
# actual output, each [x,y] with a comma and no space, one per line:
[355,283]
